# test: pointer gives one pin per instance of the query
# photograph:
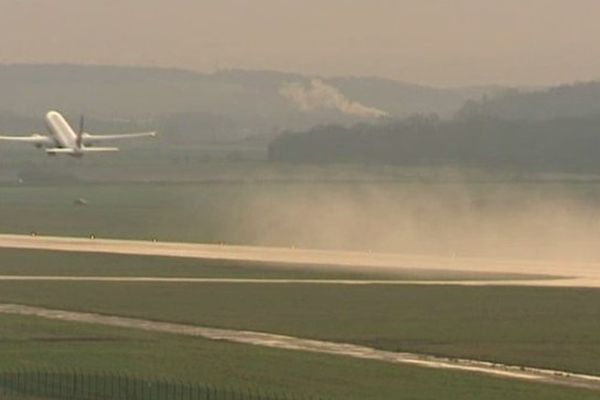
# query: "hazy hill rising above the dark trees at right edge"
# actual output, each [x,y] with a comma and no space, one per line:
[566,101]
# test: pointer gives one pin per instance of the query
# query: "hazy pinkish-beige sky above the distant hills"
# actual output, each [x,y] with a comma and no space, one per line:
[439,42]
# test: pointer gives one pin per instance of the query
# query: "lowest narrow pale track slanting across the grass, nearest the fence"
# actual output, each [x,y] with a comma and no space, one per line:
[315,346]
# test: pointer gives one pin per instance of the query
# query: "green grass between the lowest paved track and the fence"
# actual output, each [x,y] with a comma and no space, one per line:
[30,343]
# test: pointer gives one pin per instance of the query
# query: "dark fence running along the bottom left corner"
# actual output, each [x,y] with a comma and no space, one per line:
[77,385]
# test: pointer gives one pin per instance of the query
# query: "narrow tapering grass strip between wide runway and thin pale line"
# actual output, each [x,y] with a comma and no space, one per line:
[51,263]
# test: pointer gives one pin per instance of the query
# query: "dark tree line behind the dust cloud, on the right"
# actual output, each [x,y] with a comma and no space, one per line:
[561,144]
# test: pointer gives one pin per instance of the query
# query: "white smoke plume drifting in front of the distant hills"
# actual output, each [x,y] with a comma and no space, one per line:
[319,95]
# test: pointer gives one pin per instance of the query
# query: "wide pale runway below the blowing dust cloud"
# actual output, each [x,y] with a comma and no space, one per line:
[567,274]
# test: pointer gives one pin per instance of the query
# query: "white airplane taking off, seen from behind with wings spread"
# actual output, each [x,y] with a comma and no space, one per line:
[62,139]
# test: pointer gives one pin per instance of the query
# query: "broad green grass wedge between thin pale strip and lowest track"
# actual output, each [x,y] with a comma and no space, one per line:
[543,327]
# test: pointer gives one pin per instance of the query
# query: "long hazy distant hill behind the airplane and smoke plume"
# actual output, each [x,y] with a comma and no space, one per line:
[224,105]
